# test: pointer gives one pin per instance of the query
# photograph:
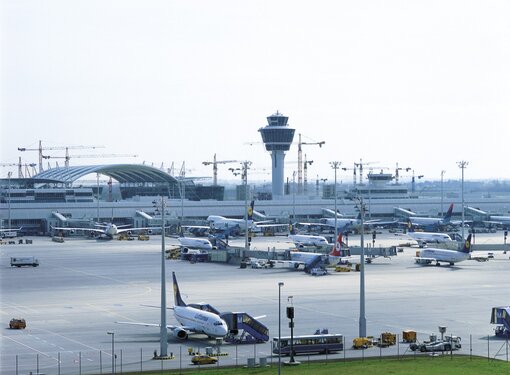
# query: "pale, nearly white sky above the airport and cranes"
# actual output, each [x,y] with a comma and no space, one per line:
[424,84]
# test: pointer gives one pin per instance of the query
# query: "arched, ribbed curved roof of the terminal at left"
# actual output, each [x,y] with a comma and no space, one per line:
[123,173]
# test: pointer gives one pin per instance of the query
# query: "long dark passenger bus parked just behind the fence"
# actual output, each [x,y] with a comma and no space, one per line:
[319,343]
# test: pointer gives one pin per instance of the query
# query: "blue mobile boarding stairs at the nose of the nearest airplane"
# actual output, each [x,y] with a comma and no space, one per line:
[244,329]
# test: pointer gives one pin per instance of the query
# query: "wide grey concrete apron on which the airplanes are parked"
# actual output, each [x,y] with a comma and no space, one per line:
[83,286]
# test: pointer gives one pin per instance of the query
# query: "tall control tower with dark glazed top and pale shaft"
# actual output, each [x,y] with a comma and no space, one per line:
[277,137]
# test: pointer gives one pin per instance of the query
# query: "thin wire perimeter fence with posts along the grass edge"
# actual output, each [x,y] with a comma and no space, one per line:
[133,361]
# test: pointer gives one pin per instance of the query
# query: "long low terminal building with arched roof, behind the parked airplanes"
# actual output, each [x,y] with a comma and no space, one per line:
[57,197]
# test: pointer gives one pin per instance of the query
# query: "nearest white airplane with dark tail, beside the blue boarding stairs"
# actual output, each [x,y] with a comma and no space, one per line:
[193,318]
